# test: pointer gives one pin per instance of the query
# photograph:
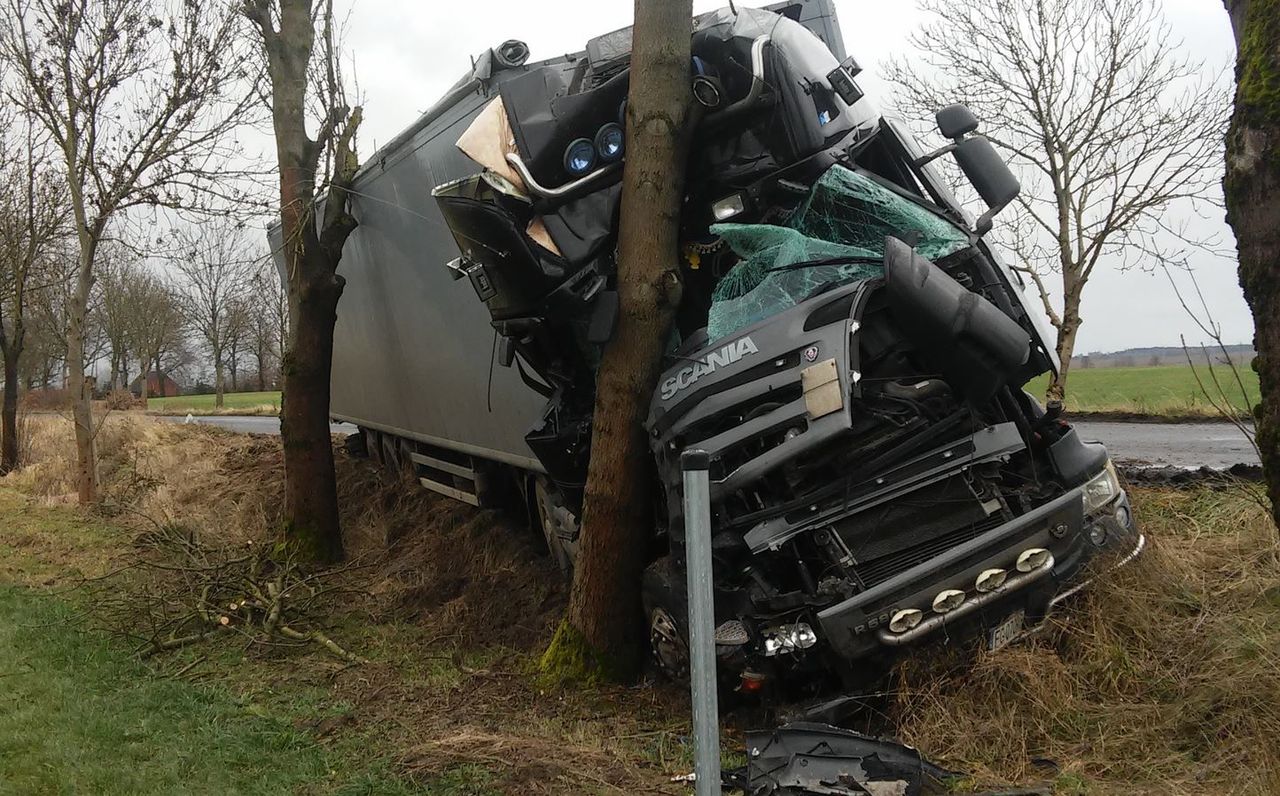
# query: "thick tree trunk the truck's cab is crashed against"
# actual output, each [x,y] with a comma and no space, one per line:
[601,634]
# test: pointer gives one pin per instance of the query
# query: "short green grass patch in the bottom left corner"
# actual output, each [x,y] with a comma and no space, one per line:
[80,716]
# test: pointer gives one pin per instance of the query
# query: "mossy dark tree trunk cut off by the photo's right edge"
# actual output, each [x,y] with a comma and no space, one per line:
[1252,191]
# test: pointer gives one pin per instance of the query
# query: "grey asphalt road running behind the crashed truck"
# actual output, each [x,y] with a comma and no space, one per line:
[1185,445]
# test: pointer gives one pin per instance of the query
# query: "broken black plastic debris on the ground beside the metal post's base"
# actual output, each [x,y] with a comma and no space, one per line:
[803,758]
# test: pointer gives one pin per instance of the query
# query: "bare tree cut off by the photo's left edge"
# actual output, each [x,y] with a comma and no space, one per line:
[33,219]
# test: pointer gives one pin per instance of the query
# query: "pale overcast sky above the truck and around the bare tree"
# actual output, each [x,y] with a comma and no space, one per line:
[408,54]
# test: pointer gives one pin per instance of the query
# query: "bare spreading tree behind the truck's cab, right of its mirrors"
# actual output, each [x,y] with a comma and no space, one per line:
[1107,122]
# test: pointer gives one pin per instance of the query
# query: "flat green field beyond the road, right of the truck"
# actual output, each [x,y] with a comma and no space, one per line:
[1165,391]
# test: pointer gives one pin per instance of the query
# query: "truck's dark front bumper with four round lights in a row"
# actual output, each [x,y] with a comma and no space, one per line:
[860,626]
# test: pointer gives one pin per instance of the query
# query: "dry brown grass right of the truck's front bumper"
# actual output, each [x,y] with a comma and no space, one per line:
[1164,679]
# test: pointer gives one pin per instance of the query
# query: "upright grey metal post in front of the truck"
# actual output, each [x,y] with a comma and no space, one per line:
[702,623]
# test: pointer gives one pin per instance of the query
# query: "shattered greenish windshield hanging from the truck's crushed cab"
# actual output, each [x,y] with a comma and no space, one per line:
[845,217]
